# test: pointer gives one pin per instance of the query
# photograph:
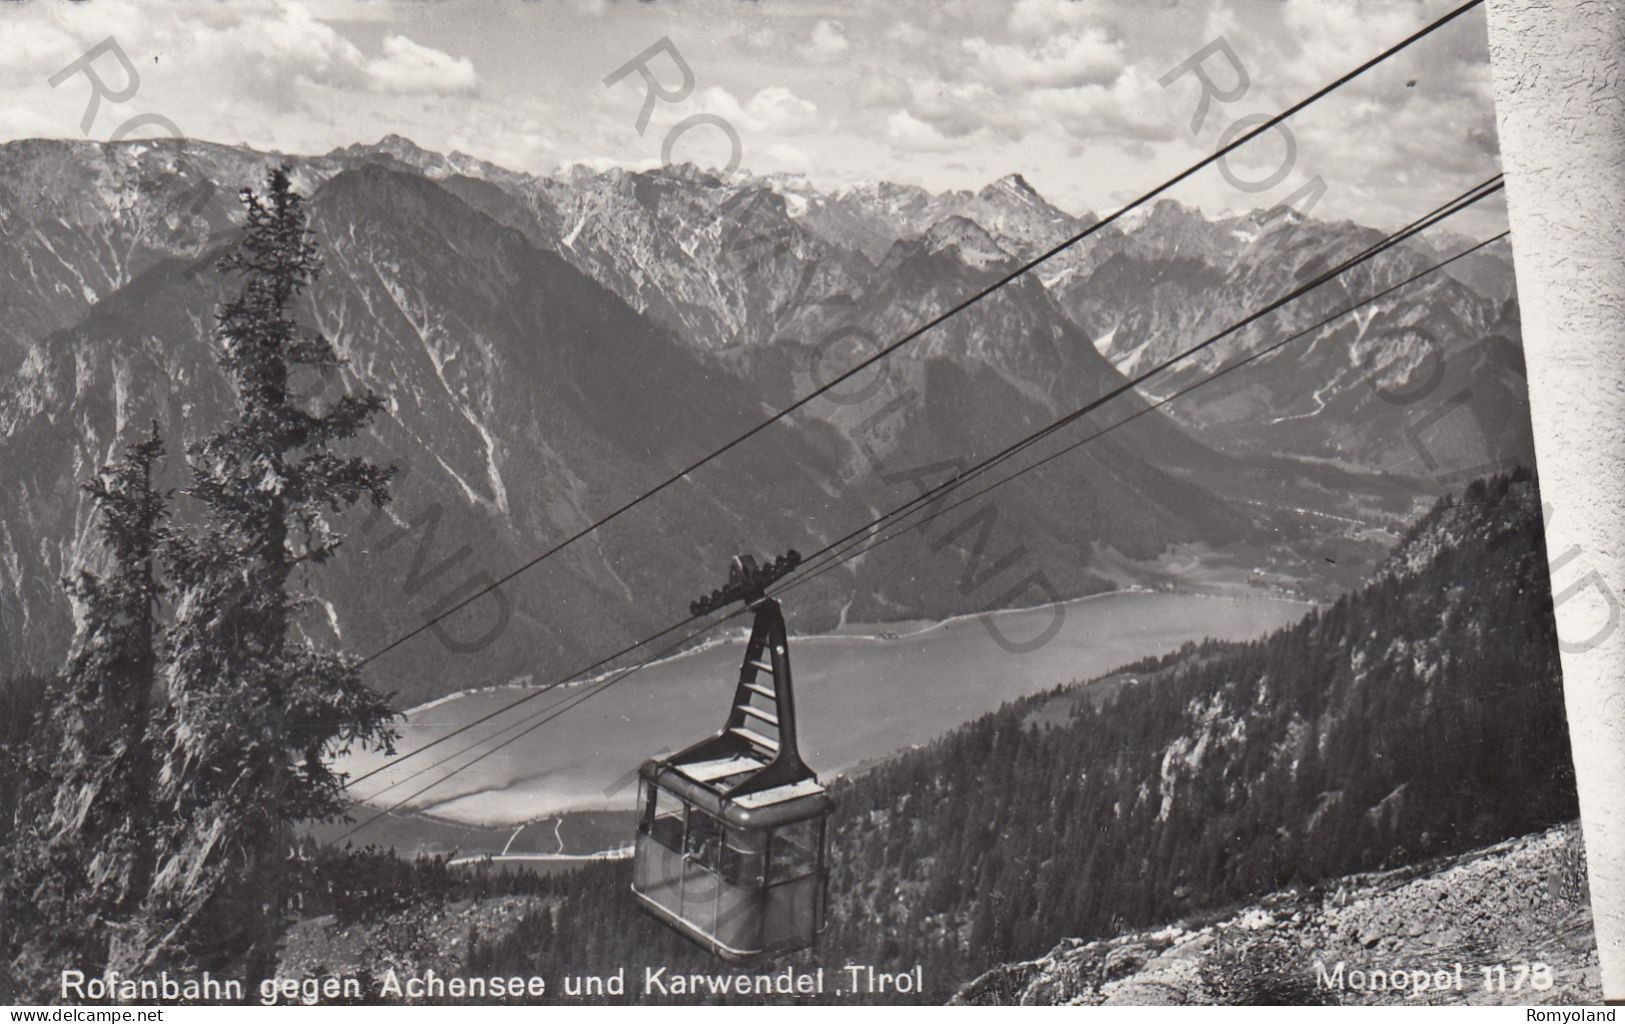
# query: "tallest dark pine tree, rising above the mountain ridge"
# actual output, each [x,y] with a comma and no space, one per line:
[258,709]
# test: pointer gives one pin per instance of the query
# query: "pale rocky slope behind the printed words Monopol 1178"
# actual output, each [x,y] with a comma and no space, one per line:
[1519,905]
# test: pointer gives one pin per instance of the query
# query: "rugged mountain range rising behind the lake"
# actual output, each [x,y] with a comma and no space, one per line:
[552,347]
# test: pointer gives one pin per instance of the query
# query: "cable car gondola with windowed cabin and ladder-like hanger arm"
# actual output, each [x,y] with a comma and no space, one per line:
[732,831]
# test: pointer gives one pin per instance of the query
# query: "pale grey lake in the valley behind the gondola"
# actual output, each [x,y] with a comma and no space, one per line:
[857,698]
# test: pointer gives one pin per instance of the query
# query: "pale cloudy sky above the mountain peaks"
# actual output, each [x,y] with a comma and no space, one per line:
[940,93]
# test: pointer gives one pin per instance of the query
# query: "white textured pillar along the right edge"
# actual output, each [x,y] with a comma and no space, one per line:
[1562,124]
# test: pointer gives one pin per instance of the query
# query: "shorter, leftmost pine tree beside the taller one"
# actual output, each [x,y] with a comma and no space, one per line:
[80,857]
